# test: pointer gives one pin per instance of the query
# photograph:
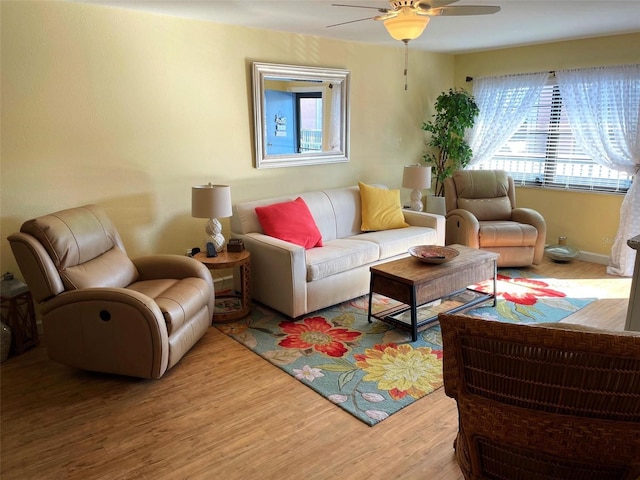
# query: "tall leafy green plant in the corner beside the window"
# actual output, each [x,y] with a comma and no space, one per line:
[456,111]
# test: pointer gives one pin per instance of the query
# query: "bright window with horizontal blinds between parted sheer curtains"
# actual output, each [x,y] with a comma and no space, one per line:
[544,152]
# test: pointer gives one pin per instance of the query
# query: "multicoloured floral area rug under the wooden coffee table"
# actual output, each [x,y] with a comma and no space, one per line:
[372,370]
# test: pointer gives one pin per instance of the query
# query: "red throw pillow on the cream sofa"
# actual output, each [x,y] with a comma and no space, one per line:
[290,221]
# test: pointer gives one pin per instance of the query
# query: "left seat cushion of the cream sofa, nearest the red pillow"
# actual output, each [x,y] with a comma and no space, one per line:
[340,255]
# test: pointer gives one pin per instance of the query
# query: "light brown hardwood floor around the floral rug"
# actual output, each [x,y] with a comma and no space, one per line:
[223,412]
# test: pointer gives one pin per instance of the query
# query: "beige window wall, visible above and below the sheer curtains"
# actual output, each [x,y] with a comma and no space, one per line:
[589,220]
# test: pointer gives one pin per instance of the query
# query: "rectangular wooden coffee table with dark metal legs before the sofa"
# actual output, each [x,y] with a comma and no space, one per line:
[426,290]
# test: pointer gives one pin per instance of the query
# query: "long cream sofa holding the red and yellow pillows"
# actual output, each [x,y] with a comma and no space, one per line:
[295,281]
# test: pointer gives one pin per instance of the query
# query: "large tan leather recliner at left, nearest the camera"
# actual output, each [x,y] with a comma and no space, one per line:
[102,311]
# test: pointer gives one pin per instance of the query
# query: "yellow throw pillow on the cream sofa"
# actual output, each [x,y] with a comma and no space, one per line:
[381,209]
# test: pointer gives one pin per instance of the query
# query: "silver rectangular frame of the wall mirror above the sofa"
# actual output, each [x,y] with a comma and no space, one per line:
[267,71]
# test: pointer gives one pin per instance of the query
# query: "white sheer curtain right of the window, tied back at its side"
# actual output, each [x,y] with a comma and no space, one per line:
[603,106]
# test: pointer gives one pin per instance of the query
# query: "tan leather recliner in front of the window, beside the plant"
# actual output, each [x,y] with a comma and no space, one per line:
[482,213]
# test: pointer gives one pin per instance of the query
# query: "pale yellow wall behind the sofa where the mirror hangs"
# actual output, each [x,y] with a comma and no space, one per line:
[129,110]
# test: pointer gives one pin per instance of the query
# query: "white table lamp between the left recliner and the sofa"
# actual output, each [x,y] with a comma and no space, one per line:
[212,202]
